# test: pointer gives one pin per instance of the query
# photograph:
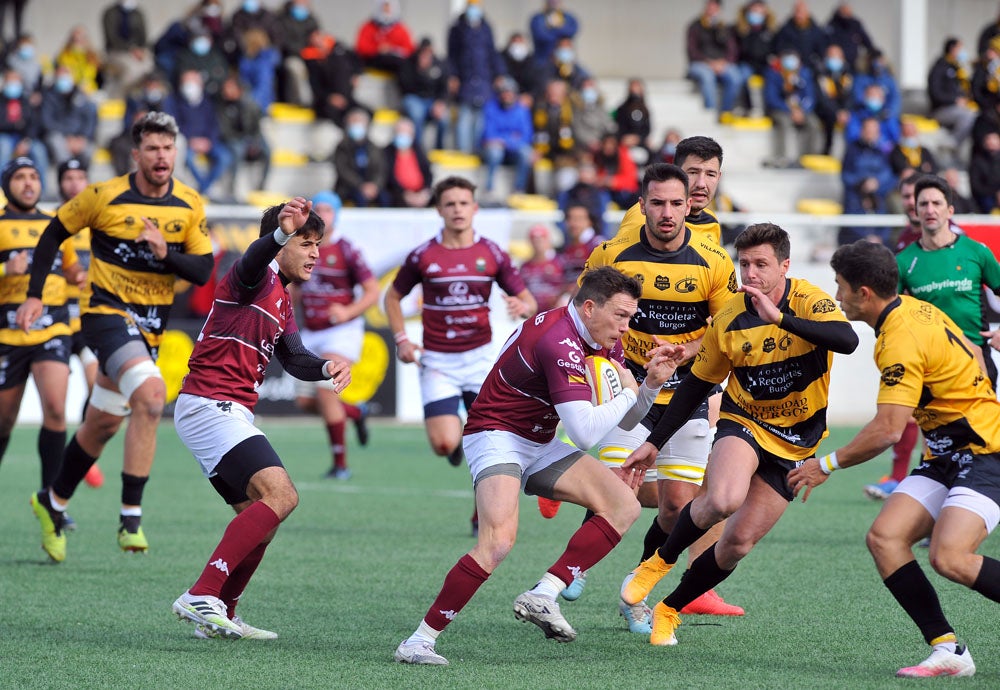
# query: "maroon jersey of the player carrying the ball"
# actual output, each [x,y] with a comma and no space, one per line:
[540,366]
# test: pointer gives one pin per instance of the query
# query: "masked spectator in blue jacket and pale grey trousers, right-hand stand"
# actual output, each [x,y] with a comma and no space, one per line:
[790,99]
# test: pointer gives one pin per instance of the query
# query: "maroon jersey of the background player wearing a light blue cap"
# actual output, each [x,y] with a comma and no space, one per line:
[338,270]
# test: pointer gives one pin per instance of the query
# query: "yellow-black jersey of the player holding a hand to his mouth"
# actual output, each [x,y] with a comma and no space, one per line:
[778,382]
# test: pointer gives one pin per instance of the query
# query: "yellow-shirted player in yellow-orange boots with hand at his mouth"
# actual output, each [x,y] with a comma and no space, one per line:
[775,343]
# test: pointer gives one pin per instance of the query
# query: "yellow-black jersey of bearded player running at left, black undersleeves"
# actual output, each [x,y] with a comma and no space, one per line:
[125,278]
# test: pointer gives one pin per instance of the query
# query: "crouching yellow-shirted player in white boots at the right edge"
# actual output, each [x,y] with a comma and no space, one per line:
[931,372]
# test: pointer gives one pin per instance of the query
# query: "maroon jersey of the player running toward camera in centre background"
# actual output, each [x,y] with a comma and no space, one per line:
[457,285]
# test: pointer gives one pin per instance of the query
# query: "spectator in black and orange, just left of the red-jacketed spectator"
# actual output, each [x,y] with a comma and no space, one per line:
[333,71]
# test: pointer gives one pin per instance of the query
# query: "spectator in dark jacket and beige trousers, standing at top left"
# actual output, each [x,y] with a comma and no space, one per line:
[127,56]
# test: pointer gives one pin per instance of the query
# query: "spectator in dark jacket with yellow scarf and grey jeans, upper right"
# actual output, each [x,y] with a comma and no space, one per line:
[949,90]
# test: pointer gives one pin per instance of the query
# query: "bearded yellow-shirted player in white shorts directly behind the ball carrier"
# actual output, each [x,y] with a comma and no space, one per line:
[685,278]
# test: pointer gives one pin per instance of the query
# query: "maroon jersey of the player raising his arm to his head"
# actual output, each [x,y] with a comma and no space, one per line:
[238,339]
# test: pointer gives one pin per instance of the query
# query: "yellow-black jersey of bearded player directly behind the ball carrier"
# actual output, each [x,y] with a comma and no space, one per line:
[680,291]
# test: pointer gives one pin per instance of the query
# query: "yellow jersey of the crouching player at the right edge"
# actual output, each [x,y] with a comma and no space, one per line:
[927,364]
